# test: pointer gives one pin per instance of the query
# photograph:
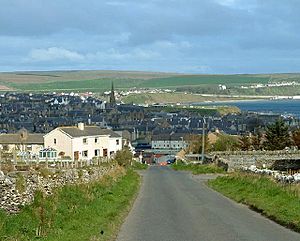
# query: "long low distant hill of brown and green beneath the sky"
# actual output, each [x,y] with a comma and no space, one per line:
[95,80]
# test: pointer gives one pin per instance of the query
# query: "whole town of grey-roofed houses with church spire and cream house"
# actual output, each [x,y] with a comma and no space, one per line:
[32,123]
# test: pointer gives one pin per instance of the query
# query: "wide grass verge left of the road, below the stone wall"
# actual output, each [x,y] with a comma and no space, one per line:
[93,211]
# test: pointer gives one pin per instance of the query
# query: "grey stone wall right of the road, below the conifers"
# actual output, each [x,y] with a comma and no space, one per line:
[278,160]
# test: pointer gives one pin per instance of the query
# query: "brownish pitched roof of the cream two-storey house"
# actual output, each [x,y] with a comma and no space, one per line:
[74,131]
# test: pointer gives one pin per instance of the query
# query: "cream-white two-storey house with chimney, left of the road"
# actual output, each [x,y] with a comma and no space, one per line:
[83,142]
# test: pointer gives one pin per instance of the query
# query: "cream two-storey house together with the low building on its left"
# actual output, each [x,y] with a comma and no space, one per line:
[72,142]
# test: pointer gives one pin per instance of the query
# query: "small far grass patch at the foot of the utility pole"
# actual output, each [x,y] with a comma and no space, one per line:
[197,168]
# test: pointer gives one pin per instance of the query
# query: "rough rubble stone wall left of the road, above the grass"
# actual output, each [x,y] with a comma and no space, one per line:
[18,188]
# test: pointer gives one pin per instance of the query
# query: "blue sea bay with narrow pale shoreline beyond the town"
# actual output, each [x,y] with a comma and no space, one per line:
[283,107]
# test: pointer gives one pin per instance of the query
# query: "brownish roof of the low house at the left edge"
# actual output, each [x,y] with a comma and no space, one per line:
[16,139]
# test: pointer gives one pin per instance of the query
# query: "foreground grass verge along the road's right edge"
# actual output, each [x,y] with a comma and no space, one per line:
[275,201]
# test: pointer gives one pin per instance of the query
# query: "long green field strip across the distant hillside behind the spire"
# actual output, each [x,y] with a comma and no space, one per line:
[105,84]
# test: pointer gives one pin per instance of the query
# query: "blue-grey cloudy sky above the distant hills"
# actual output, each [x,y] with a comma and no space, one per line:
[191,36]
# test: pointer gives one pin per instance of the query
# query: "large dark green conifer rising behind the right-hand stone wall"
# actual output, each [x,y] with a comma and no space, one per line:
[277,136]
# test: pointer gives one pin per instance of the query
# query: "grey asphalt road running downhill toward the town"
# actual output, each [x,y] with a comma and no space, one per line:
[174,206]
